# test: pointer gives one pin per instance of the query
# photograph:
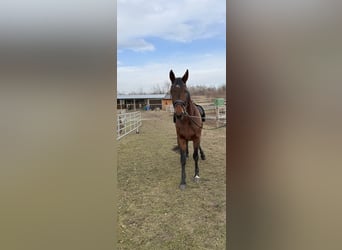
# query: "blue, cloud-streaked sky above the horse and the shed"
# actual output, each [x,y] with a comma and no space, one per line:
[156,36]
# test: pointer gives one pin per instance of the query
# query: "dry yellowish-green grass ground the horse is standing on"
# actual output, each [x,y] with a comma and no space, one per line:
[153,212]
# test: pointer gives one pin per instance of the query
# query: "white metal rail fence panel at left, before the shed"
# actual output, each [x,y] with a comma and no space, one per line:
[127,123]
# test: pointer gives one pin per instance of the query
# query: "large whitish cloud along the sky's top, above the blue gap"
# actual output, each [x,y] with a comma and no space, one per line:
[179,20]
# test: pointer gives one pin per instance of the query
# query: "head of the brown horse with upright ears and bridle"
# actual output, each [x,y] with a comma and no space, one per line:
[179,93]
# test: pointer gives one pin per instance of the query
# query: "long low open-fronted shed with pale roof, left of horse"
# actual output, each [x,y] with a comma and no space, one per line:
[149,101]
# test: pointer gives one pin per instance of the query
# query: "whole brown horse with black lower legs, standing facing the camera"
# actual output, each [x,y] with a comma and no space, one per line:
[188,123]
